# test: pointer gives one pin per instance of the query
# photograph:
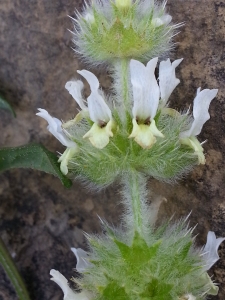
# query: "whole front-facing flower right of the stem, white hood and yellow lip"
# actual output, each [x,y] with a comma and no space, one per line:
[146,101]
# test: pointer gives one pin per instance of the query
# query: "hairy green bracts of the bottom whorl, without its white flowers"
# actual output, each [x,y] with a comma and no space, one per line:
[161,265]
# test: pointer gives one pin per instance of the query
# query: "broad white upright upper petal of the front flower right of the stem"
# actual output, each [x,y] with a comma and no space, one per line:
[145,89]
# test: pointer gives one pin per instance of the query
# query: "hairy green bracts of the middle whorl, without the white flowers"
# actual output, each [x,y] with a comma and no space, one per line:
[167,160]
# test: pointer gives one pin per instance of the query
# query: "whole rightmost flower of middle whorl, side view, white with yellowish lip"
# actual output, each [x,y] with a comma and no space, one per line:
[201,115]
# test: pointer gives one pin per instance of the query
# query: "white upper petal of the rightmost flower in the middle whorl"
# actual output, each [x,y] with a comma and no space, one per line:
[200,111]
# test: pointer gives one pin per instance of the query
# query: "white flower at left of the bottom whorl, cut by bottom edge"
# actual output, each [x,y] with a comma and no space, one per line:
[69,294]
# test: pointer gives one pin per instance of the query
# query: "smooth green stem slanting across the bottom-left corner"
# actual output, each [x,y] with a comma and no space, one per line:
[11,270]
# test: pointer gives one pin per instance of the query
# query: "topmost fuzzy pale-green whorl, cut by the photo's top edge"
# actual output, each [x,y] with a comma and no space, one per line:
[106,31]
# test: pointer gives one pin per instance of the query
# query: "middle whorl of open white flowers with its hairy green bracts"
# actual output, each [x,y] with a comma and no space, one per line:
[153,126]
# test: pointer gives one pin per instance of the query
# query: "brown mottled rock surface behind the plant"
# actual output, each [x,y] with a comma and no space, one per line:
[40,219]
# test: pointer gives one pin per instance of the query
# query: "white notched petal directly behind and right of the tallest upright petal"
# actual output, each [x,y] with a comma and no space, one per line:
[167,79]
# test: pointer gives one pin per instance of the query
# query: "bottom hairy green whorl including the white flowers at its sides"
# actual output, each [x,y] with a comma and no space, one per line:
[140,261]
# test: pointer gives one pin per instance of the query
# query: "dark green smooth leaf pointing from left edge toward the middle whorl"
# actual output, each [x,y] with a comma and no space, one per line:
[32,156]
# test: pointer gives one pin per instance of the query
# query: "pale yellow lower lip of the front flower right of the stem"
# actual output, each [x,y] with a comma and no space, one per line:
[144,135]
